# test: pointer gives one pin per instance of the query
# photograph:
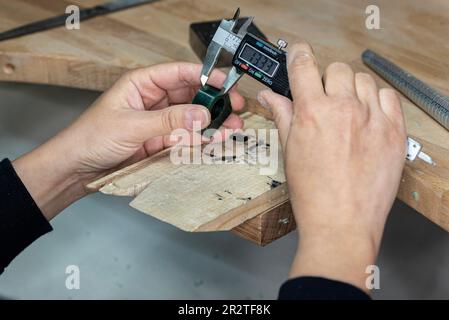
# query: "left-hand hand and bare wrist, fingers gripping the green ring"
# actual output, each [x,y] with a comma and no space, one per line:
[129,122]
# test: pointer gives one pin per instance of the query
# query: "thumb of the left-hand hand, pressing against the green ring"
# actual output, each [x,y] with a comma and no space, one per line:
[163,122]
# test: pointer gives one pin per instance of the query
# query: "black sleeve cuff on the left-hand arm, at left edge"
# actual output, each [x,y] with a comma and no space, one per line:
[21,221]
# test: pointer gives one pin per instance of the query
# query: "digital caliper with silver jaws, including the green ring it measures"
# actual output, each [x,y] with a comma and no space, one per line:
[251,55]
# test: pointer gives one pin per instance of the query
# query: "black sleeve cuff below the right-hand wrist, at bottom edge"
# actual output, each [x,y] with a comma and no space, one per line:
[316,288]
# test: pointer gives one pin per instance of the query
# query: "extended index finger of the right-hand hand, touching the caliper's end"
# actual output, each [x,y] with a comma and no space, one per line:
[304,76]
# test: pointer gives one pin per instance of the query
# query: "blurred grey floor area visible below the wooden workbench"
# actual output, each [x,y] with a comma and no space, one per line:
[122,253]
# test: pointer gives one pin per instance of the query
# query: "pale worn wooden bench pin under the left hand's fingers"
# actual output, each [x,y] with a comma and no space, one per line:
[215,196]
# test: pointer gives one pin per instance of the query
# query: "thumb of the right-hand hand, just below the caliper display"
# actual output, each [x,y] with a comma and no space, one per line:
[281,107]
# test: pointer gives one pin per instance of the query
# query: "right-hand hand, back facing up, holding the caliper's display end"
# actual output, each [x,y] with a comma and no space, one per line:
[345,146]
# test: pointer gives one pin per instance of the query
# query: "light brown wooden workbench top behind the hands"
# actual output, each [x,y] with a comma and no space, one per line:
[413,34]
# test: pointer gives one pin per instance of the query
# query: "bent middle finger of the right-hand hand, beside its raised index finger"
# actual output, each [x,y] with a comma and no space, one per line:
[339,80]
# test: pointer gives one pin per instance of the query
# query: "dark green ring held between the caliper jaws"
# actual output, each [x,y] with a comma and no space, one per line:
[219,105]
